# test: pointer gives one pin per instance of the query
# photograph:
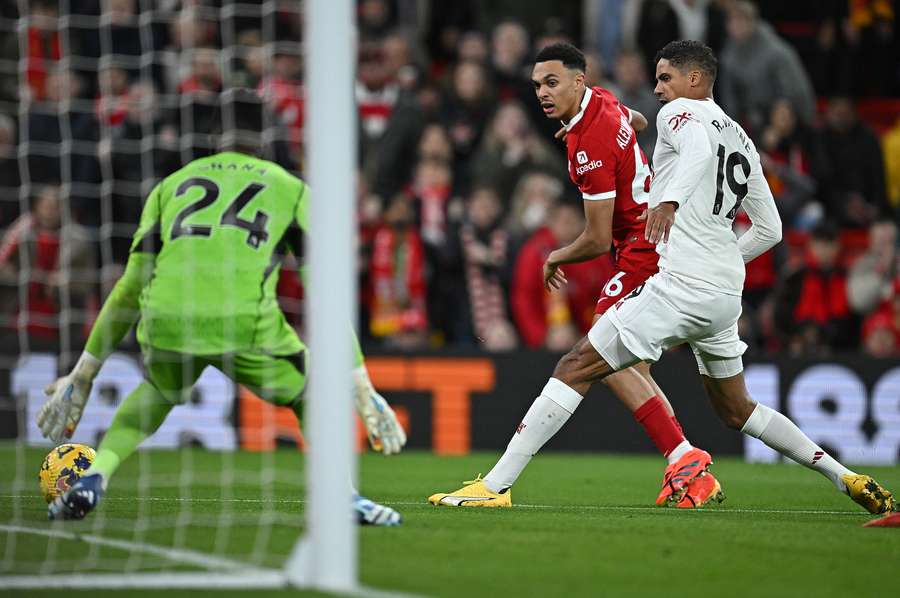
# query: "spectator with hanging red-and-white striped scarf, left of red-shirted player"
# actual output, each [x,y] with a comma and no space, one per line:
[483,247]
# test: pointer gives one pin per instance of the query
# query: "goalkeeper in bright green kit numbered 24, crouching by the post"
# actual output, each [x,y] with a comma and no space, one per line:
[201,277]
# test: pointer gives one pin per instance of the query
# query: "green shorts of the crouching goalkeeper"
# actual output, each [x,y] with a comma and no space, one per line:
[276,379]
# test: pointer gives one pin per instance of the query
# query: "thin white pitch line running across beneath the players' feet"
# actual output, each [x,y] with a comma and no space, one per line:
[518,506]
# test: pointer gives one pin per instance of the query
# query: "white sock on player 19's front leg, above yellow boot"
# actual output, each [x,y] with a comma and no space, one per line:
[545,417]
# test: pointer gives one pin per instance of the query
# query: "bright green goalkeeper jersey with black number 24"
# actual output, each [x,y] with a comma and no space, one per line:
[220,227]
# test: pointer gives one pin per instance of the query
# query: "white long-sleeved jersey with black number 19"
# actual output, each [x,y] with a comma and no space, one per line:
[705,162]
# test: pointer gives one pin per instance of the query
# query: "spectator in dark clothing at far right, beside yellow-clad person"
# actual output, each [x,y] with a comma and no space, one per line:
[854,189]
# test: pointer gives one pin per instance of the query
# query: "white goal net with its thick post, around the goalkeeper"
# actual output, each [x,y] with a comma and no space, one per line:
[99,100]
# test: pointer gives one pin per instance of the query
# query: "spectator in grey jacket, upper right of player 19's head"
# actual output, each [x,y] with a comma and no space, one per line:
[758,68]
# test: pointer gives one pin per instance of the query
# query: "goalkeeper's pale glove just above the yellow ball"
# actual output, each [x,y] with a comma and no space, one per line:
[60,415]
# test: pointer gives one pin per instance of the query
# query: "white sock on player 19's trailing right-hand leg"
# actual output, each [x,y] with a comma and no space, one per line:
[784,436]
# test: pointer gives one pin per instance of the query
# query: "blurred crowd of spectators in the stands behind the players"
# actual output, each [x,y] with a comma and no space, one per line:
[462,190]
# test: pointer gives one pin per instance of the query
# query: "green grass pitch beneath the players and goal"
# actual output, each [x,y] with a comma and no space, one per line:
[582,525]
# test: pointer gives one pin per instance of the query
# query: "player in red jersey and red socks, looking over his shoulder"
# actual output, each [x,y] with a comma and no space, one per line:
[612,173]
